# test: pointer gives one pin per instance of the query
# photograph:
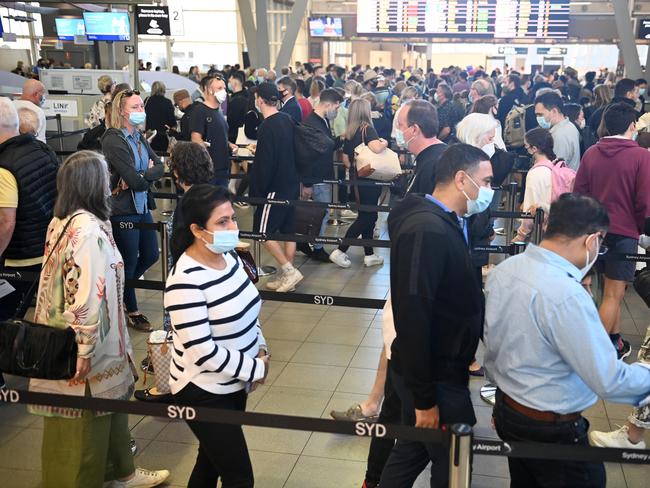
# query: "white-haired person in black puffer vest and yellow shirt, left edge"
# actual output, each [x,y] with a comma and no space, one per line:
[27,193]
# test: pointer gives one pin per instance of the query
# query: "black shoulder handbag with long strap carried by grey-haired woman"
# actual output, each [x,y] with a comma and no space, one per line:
[35,350]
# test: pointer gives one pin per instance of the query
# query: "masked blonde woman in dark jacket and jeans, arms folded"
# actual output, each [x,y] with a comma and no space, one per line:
[134,167]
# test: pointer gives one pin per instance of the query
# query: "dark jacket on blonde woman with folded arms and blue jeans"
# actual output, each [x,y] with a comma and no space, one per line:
[121,161]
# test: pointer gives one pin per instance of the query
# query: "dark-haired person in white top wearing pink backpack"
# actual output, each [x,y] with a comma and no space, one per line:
[539,185]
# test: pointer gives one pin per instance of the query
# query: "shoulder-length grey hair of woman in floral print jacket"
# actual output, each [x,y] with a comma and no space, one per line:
[83,183]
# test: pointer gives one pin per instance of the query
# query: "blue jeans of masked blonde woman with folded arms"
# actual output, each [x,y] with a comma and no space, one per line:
[139,249]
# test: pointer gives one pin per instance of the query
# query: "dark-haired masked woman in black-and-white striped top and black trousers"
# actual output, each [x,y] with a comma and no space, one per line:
[219,350]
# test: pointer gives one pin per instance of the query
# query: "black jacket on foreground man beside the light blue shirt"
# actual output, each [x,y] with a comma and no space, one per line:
[437,299]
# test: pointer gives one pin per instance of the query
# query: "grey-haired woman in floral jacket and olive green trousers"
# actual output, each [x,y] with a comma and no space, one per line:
[81,287]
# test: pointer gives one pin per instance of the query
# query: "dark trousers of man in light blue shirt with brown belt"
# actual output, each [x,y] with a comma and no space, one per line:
[541,473]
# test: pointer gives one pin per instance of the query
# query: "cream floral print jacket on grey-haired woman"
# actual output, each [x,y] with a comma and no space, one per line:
[82,287]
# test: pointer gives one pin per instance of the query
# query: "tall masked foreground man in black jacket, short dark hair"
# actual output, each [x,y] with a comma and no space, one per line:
[437,309]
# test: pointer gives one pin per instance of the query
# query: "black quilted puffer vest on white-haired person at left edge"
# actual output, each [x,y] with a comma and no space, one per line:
[34,165]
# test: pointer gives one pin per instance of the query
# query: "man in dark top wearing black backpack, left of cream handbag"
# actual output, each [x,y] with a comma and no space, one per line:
[322,168]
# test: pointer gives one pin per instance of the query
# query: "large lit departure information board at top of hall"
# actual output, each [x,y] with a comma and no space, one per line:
[499,19]
